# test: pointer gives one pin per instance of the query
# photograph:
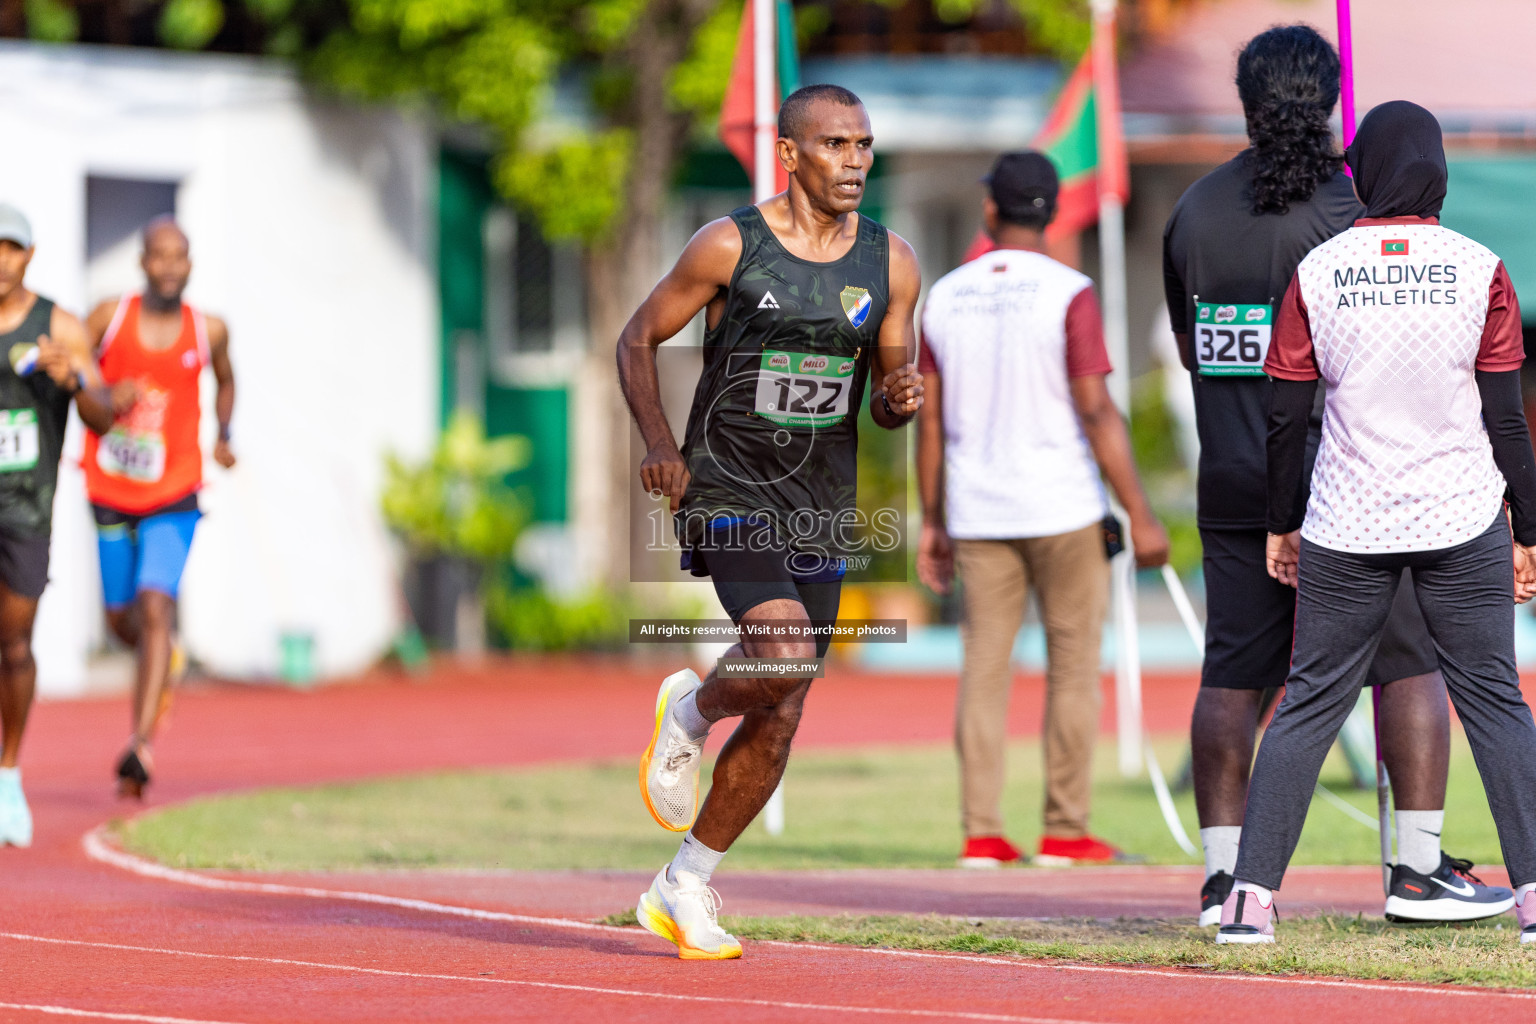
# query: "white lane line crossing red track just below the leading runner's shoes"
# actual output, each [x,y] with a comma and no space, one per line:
[383,973]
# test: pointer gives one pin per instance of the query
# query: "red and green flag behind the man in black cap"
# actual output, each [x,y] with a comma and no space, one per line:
[1084,139]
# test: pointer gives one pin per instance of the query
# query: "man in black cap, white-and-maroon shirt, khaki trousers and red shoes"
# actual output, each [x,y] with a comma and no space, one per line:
[1015,435]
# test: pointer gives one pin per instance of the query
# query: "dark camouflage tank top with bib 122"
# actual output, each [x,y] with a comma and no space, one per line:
[773,429]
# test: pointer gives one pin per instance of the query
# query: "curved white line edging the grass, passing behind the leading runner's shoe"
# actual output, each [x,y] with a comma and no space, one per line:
[98,848]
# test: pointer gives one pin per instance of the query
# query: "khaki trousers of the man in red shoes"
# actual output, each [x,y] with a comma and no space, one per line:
[1071,581]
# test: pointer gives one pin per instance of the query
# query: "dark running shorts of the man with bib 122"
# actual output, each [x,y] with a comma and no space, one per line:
[758,572]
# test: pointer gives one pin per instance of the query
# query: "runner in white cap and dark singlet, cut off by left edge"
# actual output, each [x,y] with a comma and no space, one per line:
[48,362]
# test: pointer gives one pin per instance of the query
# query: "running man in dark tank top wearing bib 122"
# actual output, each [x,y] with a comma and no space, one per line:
[807,305]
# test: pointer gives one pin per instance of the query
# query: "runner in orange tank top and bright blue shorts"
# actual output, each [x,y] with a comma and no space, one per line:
[144,475]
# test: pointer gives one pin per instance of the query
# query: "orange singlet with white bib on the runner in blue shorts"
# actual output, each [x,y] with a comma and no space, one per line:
[151,458]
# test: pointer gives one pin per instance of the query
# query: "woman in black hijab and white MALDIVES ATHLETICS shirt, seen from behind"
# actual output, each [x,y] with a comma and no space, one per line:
[1417,334]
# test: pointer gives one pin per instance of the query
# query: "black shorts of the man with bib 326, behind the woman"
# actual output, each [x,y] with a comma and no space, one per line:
[1251,621]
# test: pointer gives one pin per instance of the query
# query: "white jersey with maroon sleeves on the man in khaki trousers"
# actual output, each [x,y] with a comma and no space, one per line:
[1007,332]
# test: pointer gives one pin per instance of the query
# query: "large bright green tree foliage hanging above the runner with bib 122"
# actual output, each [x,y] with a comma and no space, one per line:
[497,64]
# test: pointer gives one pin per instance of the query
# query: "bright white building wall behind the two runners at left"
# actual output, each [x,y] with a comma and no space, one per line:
[313,236]
